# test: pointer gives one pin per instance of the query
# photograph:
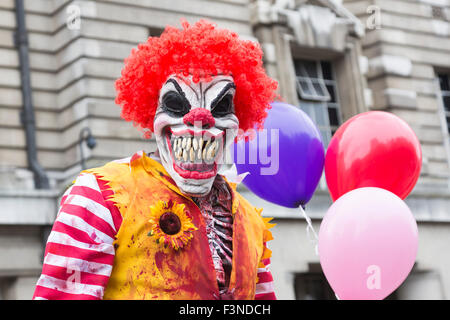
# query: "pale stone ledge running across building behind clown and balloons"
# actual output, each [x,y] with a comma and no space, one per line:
[39,207]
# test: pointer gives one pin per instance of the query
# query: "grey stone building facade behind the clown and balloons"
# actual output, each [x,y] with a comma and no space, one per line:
[333,59]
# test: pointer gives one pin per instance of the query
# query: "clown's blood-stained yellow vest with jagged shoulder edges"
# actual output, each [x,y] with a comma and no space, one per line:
[147,267]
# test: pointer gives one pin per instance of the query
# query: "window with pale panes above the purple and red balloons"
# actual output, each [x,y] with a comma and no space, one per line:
[316,89]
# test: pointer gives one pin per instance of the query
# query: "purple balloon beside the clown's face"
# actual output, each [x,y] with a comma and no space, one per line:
[295,148]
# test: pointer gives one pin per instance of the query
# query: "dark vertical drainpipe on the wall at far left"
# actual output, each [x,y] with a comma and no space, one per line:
[27,114]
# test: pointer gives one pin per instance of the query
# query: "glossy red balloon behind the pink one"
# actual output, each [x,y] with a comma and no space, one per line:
[373,149]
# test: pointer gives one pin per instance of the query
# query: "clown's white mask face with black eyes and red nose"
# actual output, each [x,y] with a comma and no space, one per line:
[194,124]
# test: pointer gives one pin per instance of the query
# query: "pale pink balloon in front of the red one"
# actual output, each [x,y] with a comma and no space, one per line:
[367,244]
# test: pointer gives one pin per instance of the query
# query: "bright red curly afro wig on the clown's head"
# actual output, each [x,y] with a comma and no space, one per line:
[201,50]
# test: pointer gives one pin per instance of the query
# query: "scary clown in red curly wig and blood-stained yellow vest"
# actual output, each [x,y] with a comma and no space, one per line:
[166,225]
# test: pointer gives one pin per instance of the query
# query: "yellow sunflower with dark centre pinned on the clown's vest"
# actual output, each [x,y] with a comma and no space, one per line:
[171,224]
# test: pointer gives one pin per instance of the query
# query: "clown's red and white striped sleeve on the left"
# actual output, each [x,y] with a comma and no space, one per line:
[79,254]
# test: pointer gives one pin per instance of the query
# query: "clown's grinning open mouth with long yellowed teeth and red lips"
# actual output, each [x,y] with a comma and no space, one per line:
[194,155]
